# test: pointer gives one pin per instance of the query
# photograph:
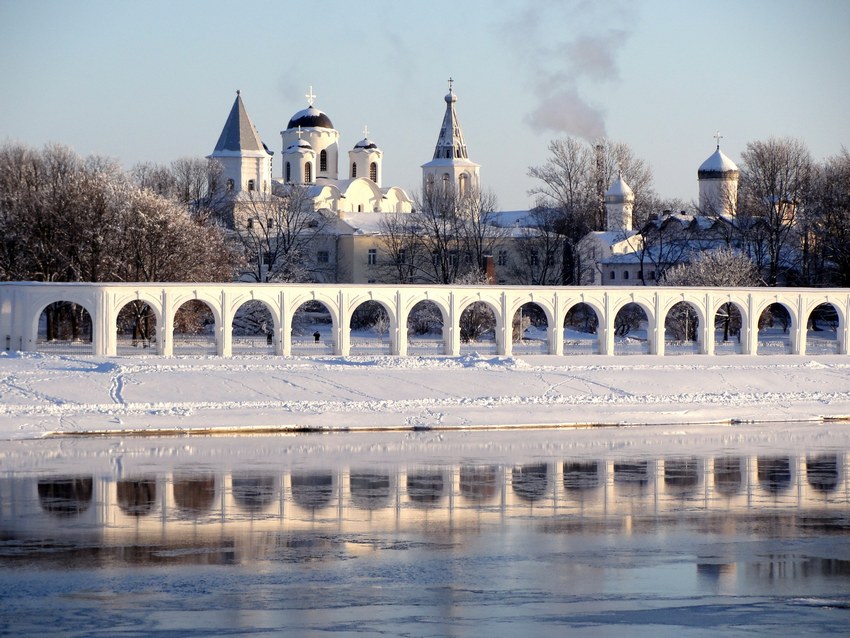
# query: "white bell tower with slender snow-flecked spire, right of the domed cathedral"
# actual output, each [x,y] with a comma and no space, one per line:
[450,165]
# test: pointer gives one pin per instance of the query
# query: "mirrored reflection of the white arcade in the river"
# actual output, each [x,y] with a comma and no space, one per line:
[216,507]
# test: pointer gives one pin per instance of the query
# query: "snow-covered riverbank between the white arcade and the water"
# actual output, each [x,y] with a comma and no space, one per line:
[44,394]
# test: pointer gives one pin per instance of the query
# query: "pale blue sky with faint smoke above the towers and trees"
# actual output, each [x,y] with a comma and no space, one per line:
[154,80]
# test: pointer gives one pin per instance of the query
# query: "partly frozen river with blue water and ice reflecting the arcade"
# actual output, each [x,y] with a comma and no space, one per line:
[413,534]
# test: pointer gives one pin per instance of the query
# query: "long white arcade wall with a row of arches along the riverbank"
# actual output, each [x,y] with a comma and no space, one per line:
[21,305]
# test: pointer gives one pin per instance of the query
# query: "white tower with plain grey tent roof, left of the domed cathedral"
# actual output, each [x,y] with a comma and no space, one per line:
[246,160]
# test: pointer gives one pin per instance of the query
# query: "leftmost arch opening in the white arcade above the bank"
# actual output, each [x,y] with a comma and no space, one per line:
[64,327]
